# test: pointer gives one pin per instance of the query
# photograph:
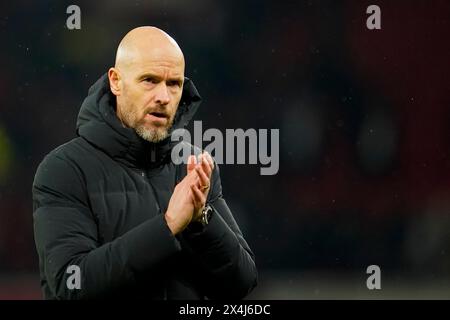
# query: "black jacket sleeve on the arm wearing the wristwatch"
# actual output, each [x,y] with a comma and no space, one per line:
[227,263]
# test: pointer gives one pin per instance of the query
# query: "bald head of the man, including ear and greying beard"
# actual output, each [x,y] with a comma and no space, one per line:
[147,80]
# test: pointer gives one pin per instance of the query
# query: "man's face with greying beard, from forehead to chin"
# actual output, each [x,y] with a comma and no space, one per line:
[151,88]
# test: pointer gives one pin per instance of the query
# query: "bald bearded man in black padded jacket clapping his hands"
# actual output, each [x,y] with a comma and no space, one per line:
[114,216]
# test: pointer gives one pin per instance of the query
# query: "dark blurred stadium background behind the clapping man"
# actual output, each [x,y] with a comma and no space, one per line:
[364,123]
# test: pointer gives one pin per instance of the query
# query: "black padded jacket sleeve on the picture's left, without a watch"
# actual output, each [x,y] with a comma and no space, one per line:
[66,235]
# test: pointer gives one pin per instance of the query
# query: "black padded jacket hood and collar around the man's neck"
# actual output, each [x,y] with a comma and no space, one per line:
[97,123]
